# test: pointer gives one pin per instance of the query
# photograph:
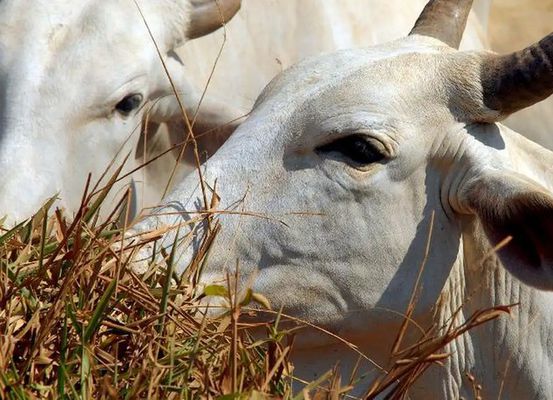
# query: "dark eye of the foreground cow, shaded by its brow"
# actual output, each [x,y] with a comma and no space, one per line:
[355,148]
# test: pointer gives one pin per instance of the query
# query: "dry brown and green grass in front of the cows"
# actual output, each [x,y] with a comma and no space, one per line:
[77,322]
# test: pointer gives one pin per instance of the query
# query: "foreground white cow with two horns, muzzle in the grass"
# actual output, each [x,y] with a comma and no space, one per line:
[357,152]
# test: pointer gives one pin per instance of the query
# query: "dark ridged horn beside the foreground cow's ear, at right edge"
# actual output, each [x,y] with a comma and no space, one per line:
[518,80]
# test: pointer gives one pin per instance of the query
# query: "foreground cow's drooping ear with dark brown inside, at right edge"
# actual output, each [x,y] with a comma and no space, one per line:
[511,205]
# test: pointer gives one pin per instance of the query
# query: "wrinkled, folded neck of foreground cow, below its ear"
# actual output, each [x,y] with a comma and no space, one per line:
[517,349]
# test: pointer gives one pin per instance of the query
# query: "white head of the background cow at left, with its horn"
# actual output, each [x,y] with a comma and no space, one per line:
[75,81]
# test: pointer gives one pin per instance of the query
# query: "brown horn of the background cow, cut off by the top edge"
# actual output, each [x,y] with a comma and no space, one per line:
[209,15]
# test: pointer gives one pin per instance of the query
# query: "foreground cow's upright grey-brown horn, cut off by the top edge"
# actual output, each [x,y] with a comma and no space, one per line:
[444,20]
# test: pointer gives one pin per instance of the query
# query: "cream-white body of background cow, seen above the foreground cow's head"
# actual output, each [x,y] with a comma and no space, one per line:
[268,36]
